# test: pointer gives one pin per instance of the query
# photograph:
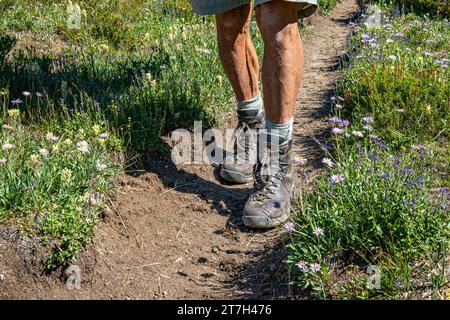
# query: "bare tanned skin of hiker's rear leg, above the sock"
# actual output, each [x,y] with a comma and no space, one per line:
[237,52]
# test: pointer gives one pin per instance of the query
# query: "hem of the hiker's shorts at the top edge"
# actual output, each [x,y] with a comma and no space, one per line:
[207,7]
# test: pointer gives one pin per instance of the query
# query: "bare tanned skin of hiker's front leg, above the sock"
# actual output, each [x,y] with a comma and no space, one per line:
[283,58]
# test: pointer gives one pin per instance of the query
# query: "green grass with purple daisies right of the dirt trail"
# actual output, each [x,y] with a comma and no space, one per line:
[391,207]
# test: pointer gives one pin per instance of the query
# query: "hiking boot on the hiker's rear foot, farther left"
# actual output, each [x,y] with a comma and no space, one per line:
[239,167]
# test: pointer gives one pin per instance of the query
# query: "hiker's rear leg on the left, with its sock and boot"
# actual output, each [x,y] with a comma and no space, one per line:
[240,63]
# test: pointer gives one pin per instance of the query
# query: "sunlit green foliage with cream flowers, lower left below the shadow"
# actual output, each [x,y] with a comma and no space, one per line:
[55,176]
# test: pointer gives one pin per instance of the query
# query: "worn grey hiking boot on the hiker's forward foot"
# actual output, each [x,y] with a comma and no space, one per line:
[270,202]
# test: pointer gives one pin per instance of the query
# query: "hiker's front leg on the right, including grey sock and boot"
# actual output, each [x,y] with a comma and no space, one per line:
[282,70]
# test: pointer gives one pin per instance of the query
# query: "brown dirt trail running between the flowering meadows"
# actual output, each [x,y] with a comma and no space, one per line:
[175,232]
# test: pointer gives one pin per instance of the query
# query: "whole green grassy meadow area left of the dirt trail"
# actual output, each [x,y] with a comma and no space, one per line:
[135,70]
